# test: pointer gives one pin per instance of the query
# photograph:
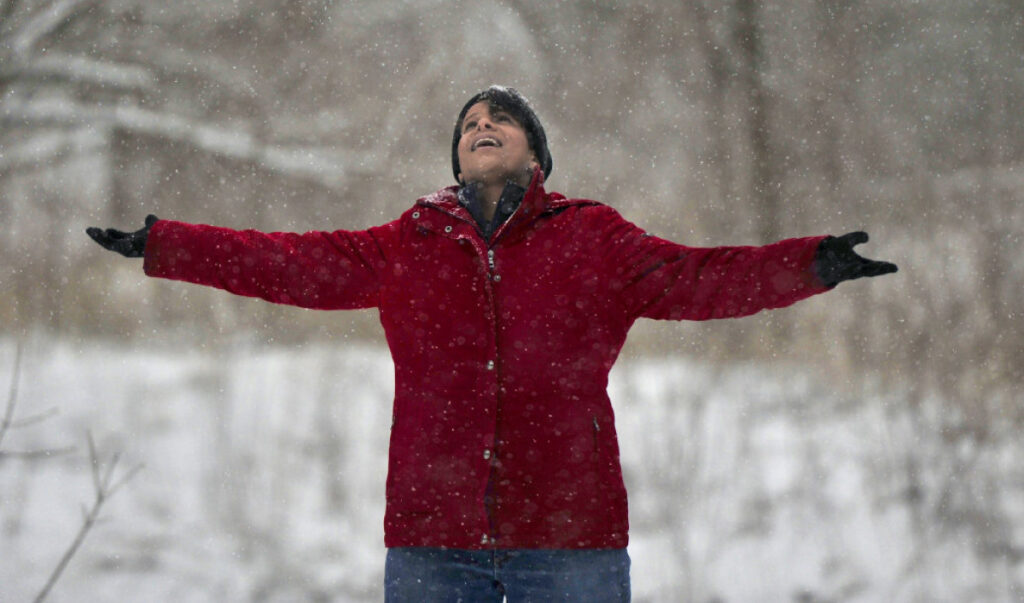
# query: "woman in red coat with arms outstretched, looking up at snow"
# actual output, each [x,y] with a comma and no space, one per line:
[504,307]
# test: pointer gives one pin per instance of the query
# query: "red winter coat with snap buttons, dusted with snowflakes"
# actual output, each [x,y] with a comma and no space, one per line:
[503,433]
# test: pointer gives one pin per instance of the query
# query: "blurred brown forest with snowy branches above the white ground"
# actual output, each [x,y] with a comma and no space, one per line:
[706,122]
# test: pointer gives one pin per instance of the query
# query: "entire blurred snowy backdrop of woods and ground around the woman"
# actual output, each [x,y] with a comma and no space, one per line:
[861,446]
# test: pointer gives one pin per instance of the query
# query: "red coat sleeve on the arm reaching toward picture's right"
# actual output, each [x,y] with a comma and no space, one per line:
[659,279]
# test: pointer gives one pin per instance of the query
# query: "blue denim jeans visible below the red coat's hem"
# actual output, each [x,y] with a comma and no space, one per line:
[450,576]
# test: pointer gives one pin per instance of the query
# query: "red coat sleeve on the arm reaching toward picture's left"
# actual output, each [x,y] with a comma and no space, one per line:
[323,271]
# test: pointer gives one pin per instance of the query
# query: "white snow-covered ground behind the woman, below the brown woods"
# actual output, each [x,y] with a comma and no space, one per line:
[265,472]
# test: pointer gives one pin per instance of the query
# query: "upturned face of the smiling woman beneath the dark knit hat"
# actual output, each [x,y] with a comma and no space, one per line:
[494,148]
